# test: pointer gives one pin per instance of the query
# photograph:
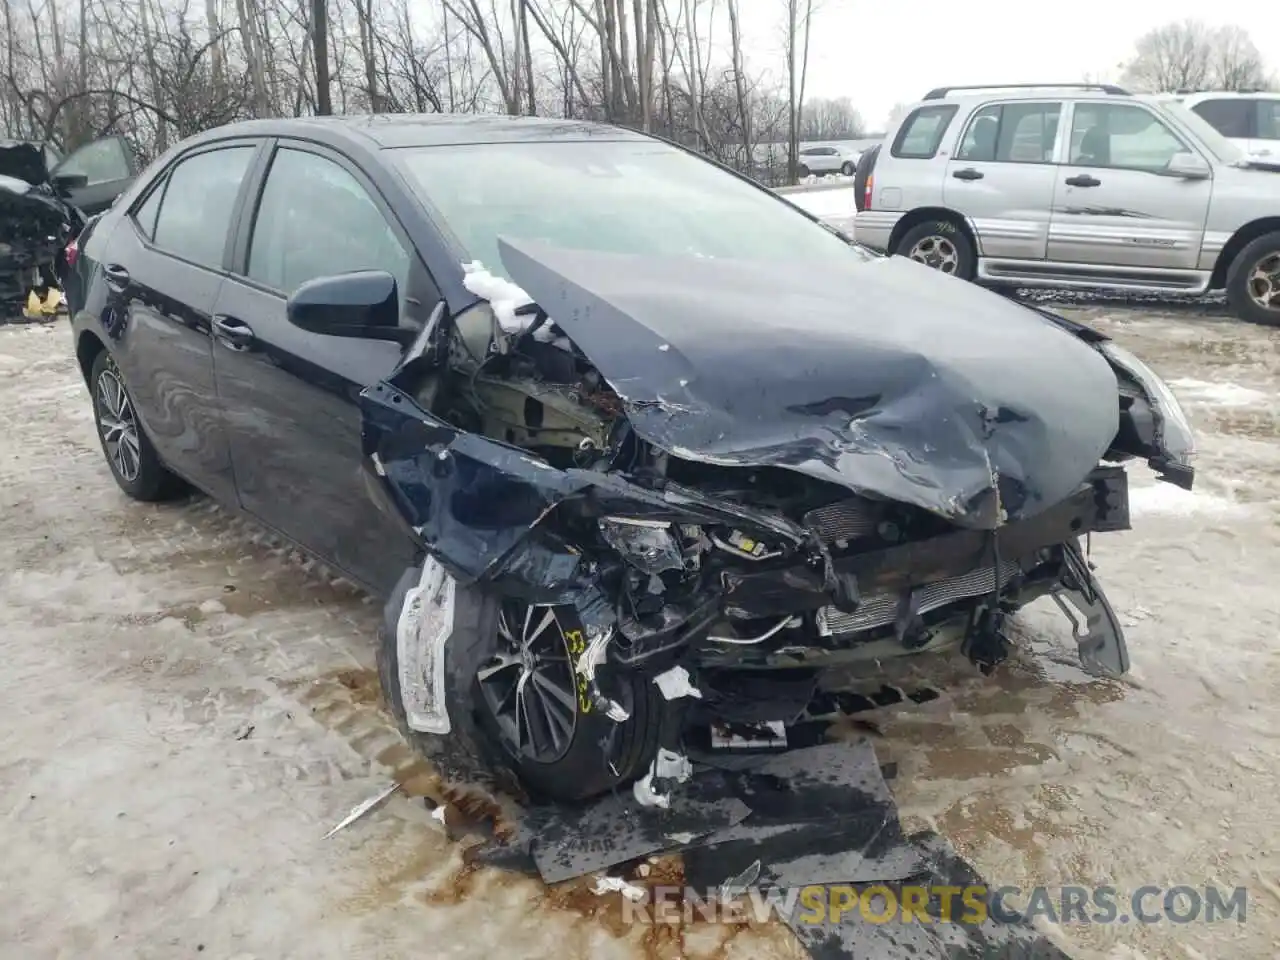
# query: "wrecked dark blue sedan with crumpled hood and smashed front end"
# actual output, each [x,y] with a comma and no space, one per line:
[633,447]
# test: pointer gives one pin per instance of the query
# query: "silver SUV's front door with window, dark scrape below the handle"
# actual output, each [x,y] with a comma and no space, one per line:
[1113,203]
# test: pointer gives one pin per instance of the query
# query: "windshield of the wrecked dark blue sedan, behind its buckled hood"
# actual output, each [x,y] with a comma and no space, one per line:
[611,196]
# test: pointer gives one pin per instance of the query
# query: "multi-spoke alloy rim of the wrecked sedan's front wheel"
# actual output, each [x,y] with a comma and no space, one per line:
[529,684]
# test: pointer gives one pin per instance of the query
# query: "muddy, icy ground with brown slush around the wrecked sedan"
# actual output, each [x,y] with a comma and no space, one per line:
[186,708]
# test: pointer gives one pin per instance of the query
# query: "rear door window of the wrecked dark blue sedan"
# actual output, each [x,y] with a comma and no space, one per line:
[198,205]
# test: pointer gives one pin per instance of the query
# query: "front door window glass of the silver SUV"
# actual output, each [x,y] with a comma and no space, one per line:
[1122,136]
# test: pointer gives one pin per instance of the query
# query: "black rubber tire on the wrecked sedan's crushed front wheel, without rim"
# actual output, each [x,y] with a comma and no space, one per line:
[479,747]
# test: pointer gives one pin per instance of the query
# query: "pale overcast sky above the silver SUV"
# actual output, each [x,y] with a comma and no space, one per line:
[885,52]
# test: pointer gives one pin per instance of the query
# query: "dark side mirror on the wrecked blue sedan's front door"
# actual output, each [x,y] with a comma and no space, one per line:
[364,304]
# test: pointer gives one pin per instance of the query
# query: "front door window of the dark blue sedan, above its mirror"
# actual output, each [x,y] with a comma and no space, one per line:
[316,220]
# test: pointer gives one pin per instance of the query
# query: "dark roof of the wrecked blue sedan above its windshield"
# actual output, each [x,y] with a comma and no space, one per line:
[391,131]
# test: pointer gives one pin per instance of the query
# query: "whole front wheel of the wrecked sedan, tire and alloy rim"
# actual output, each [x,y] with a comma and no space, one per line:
[515,697]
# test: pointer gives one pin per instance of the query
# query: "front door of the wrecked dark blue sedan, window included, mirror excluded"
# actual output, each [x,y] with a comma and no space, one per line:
[290,396]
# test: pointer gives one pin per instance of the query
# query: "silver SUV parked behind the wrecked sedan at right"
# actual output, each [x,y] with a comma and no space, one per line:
[1076,186]
